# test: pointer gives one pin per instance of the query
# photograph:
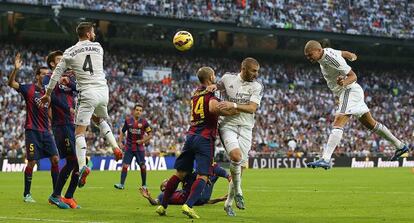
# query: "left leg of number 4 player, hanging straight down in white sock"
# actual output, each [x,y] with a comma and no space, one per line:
[81,154]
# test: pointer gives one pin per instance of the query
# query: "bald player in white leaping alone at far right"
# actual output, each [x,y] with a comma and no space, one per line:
[341,81]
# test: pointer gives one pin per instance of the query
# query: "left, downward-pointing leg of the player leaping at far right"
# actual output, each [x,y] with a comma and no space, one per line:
[333,141]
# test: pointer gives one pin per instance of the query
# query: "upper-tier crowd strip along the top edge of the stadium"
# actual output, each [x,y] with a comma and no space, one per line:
[363,17]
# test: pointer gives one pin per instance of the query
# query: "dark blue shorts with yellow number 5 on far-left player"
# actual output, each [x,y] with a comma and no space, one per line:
[39,145]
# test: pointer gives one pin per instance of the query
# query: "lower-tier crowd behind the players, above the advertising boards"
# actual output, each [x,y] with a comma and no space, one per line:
[293,120]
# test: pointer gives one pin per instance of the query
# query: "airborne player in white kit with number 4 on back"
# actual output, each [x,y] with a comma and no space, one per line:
[85,58]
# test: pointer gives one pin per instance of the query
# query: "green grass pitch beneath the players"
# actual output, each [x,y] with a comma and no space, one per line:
[284,195]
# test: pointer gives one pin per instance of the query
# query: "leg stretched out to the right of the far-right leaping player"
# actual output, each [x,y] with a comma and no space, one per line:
[368,121]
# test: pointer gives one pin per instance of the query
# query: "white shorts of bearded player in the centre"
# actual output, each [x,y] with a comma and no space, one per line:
[233,137]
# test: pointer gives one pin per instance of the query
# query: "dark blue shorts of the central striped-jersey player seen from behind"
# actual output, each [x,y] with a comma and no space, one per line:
[201,150]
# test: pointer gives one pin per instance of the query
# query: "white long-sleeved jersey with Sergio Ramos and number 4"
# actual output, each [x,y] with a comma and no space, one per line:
[85,58]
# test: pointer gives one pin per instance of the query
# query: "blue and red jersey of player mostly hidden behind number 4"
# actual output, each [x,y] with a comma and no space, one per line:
[63,102]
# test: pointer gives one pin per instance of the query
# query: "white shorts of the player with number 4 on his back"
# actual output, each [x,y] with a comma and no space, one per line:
[91,101]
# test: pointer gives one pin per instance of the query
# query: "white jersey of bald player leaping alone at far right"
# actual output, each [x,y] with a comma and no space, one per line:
[332,66]
